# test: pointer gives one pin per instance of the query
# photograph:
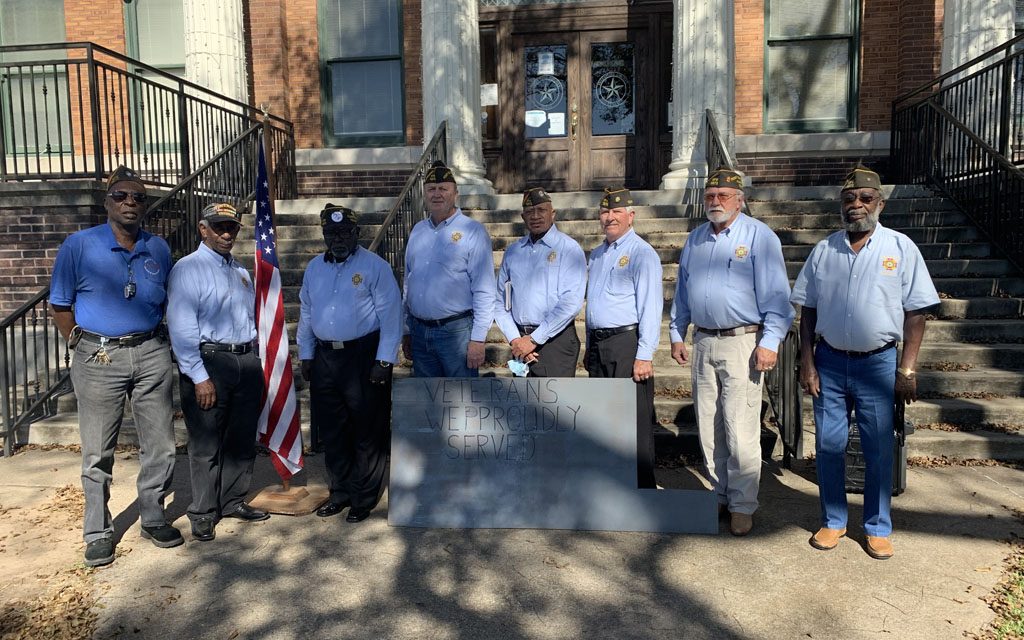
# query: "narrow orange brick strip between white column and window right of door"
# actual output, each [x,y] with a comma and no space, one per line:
[750,66]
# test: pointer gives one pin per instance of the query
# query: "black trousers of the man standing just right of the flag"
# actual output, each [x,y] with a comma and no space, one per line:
[354,418]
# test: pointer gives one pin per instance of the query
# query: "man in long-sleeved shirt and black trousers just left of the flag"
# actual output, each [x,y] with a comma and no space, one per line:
[211,319]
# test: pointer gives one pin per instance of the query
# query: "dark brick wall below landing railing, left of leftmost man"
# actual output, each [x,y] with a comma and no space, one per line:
[31,235]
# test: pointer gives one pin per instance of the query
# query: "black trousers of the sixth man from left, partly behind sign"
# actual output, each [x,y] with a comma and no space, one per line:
[614,358]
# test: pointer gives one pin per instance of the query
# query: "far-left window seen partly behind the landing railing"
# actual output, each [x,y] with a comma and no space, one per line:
[34,98]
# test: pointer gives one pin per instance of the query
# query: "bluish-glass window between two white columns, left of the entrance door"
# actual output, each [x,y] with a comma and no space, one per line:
[362,72]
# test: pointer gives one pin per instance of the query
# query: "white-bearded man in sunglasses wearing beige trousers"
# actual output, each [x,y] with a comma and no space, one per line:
[734,289]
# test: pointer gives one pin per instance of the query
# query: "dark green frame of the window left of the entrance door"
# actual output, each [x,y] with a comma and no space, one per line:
[332,140]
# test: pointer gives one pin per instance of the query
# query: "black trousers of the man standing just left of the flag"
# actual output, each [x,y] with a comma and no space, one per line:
[223,439]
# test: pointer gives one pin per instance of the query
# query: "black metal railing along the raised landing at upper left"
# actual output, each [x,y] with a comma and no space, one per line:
[84,109]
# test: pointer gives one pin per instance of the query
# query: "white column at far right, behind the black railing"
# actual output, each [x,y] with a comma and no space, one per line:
[972,27]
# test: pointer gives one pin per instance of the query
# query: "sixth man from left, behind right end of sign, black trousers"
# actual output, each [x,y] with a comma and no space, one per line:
[624,316]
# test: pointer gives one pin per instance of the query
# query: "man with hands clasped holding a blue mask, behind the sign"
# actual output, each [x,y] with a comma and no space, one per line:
[541,287]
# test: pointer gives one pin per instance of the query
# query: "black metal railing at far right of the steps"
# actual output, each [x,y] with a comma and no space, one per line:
[965,137]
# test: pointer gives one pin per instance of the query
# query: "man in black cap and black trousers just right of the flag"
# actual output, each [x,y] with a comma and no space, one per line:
[350,329]
